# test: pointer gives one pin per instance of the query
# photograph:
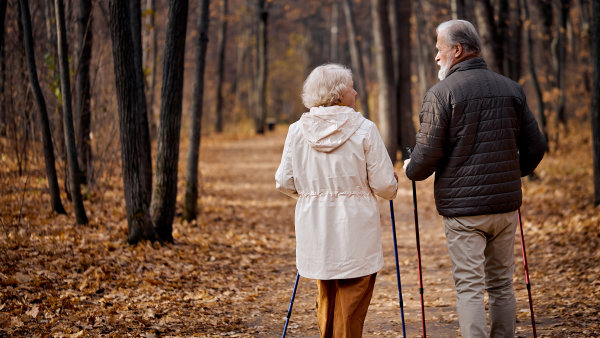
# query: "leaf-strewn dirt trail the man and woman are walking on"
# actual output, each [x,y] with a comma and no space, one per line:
[240,172]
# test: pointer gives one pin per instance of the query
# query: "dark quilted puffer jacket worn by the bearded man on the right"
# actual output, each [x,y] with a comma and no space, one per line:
[479,137]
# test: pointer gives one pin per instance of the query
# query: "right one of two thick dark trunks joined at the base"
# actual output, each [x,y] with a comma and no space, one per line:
[165,180]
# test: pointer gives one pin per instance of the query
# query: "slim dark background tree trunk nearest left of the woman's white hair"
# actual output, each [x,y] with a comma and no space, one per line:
[260,110]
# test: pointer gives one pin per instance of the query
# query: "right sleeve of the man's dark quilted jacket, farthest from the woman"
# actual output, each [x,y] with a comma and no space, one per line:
[532,143]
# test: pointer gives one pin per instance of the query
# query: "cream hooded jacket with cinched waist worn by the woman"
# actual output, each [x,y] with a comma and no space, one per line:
[334,162]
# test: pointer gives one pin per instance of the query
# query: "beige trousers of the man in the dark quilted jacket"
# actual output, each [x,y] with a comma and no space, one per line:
[481,249]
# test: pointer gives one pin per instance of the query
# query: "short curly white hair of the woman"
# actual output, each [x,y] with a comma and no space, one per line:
[325,85]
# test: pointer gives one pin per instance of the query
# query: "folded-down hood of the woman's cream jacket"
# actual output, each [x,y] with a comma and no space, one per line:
[327,128]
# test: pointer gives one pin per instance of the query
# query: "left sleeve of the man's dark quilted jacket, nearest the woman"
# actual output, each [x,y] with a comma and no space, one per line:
[430,139]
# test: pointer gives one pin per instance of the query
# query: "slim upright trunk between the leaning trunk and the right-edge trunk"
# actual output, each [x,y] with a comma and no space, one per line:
[562,59]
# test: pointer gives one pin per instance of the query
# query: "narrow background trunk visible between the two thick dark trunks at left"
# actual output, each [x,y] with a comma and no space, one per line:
[150,58]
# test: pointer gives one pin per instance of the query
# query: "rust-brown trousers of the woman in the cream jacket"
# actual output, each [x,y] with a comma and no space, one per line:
[342,305]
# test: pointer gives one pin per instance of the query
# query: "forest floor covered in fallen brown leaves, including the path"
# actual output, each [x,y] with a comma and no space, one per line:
[231,272]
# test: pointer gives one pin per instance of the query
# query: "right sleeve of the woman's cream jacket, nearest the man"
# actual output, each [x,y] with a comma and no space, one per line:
[380,170]
